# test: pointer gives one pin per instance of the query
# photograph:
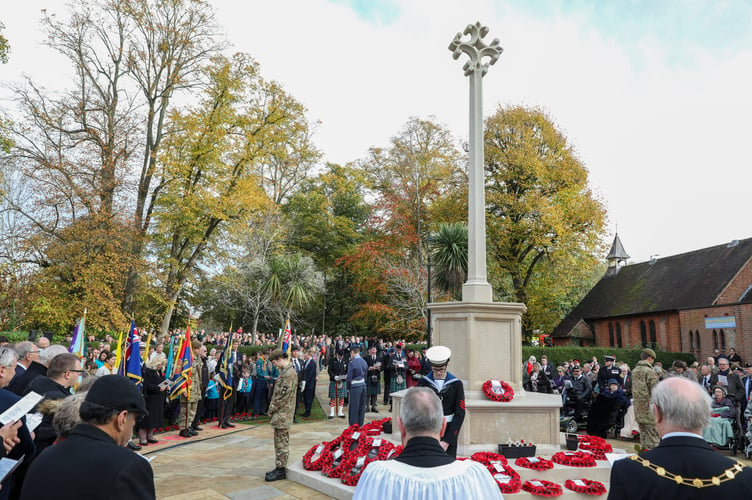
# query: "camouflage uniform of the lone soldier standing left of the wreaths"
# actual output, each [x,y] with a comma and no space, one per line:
[282,411]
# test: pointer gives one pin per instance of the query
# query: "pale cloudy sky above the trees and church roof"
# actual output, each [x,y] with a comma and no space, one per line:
[653,96]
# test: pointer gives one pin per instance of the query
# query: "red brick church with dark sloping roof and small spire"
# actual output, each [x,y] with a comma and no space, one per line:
[692,302]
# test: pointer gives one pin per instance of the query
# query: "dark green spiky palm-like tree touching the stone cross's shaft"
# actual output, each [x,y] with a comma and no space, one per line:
[449,256]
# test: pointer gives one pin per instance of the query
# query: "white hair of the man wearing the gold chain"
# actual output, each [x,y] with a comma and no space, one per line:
[688,408]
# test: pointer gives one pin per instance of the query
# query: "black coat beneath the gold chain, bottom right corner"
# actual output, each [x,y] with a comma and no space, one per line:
[689,457]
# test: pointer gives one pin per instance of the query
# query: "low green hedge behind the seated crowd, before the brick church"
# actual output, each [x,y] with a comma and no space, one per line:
[557,355]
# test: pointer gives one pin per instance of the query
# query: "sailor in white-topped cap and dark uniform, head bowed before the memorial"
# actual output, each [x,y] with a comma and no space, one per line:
[451,393]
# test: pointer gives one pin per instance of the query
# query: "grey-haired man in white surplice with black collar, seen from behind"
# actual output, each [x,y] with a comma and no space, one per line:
[423,470]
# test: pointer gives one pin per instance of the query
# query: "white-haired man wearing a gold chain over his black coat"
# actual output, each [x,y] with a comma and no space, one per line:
[683,465]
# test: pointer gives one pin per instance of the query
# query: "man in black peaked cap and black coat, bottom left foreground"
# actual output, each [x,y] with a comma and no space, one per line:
[108,413]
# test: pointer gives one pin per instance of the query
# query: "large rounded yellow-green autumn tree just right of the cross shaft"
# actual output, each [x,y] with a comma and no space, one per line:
[544,222]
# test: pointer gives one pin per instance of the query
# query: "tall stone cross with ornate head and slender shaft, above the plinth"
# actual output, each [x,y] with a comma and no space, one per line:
[476,288]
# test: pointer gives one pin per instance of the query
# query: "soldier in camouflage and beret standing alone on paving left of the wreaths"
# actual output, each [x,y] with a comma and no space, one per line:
[282,411]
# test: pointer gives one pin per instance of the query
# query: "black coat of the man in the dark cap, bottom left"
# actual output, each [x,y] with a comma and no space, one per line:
[111,471]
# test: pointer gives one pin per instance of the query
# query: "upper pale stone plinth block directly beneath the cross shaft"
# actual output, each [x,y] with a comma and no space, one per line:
[485,339]
